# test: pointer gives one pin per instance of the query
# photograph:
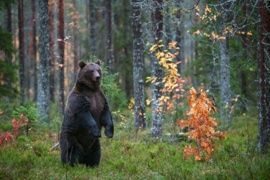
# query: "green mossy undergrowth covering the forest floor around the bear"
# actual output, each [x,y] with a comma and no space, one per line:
[131,155]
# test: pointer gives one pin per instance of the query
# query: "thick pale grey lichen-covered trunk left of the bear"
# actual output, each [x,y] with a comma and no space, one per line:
[43,71]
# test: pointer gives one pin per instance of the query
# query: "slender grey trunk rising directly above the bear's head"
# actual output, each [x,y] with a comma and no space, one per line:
[92,29]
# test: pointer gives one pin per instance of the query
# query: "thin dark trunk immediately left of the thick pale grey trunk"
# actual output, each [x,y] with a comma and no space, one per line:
[34,55]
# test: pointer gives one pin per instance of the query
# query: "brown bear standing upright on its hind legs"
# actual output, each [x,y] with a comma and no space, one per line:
[87,110]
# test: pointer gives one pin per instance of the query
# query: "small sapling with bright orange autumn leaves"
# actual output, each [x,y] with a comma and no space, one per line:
[202,126]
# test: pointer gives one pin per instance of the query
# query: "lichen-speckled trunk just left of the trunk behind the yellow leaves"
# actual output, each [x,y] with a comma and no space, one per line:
[139,107]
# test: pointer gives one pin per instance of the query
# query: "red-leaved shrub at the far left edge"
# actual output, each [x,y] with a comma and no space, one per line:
[6,137]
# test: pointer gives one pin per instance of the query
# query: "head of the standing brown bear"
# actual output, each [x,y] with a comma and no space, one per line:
[89,75]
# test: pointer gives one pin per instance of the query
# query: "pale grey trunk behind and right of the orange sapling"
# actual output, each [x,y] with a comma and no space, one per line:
[225,85]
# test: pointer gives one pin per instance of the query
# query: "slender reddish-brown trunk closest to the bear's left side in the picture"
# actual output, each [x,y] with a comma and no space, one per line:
[61,48]
